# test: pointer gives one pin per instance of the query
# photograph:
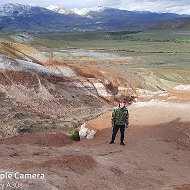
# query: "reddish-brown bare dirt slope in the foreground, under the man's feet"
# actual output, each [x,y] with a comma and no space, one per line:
[156,155]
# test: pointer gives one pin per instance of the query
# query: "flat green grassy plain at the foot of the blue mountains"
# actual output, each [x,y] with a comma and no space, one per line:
[156,41]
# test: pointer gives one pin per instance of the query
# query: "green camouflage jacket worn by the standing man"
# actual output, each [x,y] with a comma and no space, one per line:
[120,116]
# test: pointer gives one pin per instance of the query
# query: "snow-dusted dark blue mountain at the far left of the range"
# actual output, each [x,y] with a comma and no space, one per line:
[18,18]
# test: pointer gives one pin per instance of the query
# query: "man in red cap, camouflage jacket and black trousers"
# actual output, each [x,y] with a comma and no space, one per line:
[120,118]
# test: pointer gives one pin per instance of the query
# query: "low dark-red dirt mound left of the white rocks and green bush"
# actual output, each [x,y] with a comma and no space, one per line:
[42,140]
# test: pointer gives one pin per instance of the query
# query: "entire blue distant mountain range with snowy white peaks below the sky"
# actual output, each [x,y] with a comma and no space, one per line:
[19,18]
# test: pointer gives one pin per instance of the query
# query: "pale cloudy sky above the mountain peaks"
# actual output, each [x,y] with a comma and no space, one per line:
[174,6]
